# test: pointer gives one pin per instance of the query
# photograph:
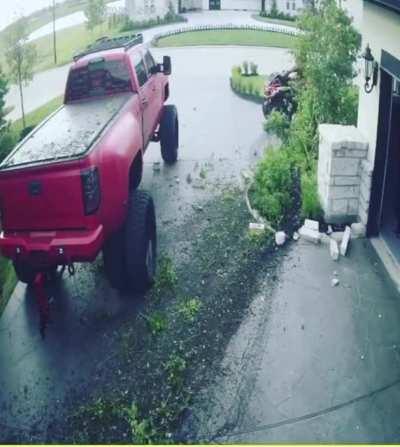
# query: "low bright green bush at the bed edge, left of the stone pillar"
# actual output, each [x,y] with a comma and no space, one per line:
[272,192]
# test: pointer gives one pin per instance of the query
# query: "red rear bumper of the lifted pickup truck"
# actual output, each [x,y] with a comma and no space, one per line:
[48,248]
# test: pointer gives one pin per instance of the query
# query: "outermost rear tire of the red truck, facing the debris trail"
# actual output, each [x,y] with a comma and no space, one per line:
[140,242]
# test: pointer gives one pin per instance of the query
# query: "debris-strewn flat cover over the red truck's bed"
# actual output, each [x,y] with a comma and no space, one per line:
[67,133]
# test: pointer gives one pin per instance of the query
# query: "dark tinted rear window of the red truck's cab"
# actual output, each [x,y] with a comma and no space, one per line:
[98,78]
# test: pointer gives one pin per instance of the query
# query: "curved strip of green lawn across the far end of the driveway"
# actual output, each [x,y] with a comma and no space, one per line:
[228,37]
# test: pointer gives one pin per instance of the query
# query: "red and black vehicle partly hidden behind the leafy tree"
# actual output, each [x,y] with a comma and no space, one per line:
[278,94]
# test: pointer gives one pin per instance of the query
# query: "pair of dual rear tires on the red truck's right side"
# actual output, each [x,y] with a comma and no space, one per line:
[129,255]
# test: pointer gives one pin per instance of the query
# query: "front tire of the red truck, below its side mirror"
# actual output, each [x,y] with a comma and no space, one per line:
[169,134]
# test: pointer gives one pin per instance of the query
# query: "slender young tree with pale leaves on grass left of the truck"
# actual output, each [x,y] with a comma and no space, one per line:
[20,56]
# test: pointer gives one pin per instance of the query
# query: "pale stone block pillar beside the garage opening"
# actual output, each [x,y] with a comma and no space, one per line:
[342,151]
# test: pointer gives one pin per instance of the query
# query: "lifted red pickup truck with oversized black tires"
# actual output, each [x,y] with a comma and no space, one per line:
[69,188]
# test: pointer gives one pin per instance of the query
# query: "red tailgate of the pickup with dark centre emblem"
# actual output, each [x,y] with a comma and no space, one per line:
[46,198]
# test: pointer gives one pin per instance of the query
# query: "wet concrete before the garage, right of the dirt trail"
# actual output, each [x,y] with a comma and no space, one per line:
[312,362]
